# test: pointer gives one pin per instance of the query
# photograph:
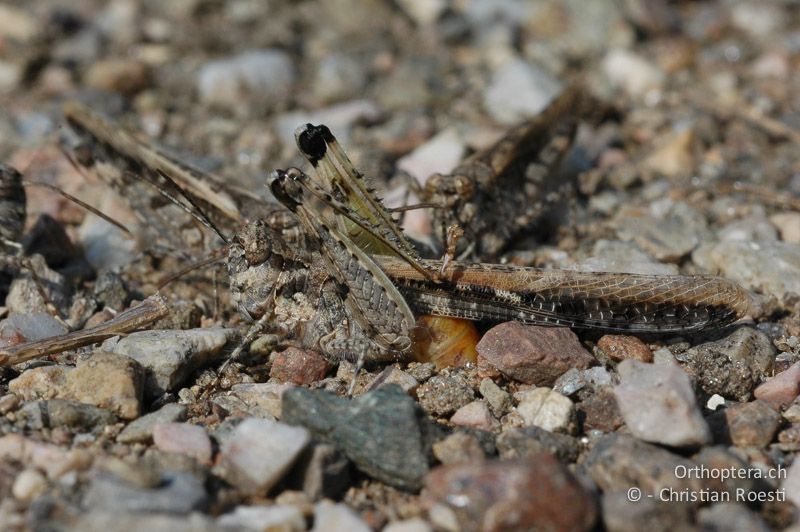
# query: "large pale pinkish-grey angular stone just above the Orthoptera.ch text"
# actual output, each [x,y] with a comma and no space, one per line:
[658,404]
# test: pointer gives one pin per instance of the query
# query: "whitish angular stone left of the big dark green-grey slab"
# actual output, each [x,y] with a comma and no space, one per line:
[242,455]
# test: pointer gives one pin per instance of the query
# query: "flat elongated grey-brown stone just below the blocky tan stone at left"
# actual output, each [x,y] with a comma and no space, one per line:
[61,413]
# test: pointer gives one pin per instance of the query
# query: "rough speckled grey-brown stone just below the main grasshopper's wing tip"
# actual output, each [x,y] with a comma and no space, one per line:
[732,366]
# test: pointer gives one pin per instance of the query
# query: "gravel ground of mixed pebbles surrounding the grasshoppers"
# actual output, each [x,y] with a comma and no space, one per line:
[691,166]
